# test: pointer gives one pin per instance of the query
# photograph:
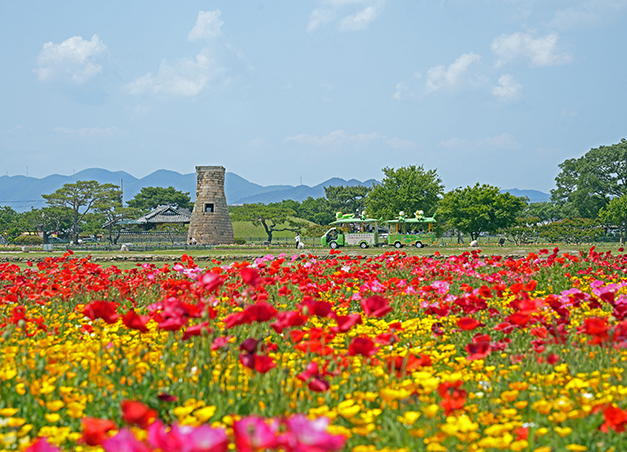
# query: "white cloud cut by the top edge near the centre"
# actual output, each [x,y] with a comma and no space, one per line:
[350,15]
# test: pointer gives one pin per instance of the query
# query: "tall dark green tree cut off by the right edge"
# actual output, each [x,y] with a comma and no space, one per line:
[589,183]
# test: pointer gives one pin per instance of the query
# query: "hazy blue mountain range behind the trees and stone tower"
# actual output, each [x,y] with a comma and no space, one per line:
[23,192]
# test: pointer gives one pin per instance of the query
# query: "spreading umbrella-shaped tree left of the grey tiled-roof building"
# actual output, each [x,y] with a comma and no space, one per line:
[81,198]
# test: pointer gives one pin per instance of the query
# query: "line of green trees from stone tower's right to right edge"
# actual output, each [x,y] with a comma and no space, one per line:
[590,198]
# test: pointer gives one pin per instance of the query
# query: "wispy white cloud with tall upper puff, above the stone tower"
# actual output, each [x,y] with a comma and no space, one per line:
[188,77]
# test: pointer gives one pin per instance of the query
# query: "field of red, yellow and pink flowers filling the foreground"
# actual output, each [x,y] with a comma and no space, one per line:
[297,353]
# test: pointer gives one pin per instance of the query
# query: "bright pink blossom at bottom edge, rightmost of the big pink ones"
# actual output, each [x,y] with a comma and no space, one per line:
[310,436]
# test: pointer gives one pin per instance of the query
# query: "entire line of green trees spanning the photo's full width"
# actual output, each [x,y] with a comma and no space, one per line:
[590,197]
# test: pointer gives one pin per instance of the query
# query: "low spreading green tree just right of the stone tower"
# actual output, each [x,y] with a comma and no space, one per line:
[270,216]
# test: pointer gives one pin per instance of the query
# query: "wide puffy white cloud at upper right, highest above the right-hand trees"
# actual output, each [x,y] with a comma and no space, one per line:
[538,52]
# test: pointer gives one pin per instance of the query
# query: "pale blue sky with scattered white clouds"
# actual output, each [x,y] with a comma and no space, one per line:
[491,91]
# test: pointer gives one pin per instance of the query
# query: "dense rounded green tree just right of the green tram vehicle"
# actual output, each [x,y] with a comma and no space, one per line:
[481,208]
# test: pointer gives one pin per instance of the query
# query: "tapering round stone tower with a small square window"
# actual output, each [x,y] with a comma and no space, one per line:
[210,223]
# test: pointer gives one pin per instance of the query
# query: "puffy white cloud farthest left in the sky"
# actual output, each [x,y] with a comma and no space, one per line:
[74,60]
